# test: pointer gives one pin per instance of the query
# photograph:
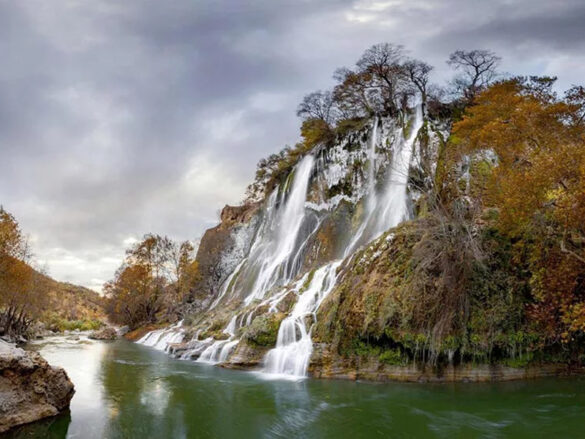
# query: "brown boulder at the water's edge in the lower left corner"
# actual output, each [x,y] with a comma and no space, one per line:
[30,389]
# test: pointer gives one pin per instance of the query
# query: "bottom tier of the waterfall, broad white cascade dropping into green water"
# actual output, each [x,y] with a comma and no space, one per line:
[294,346]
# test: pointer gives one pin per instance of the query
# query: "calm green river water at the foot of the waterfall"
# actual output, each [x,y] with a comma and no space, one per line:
[124,390]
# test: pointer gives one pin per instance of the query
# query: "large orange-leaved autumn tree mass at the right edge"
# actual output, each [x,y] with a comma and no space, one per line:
[538,188]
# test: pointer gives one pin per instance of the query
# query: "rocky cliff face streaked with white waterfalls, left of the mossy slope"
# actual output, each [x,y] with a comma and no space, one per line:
[269,267]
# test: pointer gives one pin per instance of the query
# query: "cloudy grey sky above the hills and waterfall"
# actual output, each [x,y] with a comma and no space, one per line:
[119,118]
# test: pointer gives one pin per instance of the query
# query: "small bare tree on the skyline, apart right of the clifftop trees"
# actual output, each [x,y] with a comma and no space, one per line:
[478,69]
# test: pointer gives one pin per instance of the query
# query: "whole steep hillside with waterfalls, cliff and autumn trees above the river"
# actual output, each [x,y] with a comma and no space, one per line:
[408,237]
